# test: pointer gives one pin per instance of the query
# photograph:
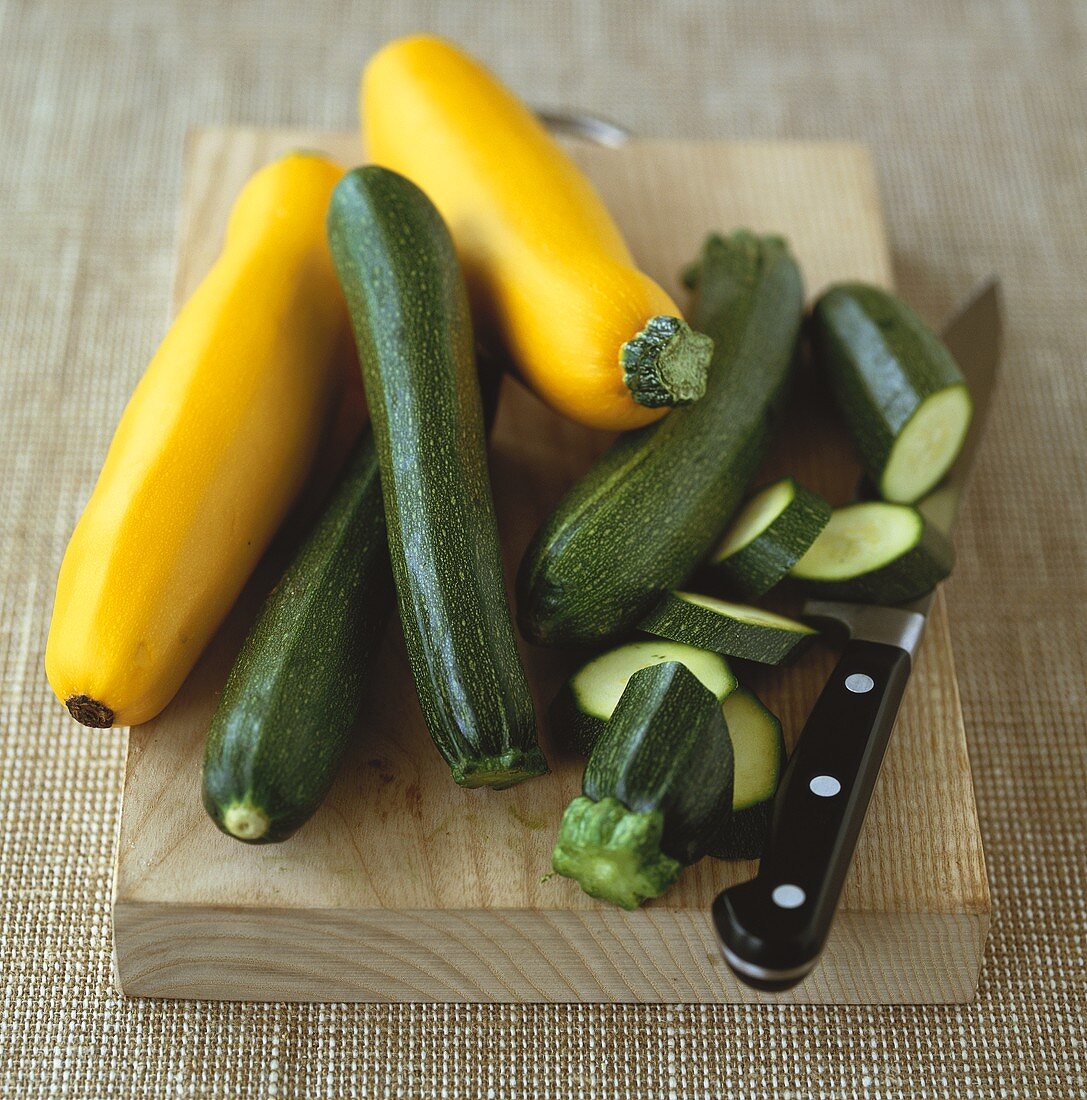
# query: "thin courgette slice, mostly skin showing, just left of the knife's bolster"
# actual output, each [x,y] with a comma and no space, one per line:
[735,630]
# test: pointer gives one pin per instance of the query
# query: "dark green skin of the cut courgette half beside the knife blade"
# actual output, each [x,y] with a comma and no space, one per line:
[882,361]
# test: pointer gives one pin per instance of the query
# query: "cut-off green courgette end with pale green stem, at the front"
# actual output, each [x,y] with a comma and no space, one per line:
[657,789]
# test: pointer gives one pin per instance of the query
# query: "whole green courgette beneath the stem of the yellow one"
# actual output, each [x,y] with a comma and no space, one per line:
[656,503]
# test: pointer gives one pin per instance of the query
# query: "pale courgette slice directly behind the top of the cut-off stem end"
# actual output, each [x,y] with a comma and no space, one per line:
[588,700]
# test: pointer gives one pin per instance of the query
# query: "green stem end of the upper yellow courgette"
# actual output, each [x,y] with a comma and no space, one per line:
[667,364]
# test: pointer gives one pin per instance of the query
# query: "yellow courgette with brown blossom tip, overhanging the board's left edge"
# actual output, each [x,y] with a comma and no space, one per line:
[211,454]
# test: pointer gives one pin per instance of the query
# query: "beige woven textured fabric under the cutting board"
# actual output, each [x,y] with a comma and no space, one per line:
[978,114]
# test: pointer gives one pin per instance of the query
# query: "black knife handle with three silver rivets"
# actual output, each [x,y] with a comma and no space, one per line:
[774,928]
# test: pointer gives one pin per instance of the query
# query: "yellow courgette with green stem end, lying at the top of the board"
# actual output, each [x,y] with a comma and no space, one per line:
[553,283]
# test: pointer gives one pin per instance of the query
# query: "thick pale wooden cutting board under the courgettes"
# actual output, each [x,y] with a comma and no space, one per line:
[407,888]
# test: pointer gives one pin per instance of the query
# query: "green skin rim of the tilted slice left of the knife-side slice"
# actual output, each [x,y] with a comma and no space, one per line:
[753,570]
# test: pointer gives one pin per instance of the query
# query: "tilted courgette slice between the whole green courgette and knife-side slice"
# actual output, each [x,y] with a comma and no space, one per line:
[770,536]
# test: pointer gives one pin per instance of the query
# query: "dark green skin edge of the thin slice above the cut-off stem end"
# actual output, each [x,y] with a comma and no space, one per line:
[678,620]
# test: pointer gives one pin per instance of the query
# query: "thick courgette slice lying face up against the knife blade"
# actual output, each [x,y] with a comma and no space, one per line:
[876,553]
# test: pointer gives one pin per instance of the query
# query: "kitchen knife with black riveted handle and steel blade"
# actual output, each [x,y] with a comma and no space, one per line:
[774,928]
